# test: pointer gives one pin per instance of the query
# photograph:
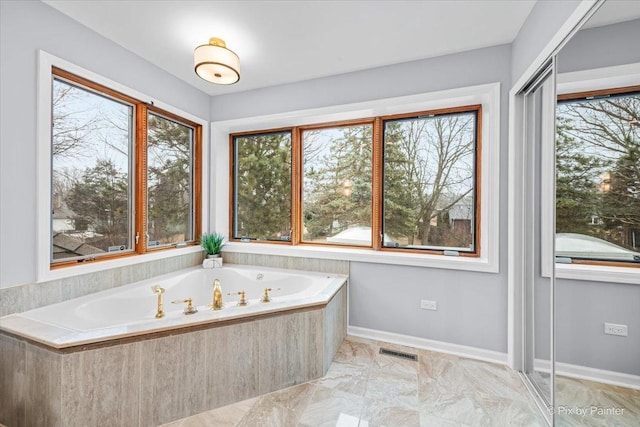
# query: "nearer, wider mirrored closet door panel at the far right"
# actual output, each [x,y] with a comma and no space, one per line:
[597,215]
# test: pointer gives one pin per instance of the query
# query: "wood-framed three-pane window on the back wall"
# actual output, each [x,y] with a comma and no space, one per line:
[398,183]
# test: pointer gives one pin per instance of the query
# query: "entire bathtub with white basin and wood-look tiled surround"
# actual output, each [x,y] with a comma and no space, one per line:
[108,347]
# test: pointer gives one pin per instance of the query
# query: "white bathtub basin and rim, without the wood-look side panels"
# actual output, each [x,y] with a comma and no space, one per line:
[129,311]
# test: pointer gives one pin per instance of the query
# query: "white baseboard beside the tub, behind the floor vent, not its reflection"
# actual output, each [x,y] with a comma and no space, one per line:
[431,345]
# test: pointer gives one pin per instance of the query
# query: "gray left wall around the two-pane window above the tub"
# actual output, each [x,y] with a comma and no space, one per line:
[27,26]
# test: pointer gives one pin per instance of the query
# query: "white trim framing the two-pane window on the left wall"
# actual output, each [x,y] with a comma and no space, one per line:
[43,172]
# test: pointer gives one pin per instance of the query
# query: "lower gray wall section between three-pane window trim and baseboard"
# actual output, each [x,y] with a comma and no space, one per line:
[471,310]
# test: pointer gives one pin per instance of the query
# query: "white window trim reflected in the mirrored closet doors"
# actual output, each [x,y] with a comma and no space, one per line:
[574,82]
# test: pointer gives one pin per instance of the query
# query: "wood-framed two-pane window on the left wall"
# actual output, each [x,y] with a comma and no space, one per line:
[124,175]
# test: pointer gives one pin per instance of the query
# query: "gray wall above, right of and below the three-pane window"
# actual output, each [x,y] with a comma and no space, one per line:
[472,306]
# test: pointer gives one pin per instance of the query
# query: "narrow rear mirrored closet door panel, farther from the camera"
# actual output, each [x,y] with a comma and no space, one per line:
[539,114]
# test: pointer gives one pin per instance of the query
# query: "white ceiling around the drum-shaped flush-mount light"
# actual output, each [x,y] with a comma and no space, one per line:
[285,41]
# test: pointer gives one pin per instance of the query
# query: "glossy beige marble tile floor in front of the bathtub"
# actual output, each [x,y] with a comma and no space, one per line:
[365,389]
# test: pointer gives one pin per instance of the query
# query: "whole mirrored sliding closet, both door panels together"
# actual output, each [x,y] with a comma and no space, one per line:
[576,223]
